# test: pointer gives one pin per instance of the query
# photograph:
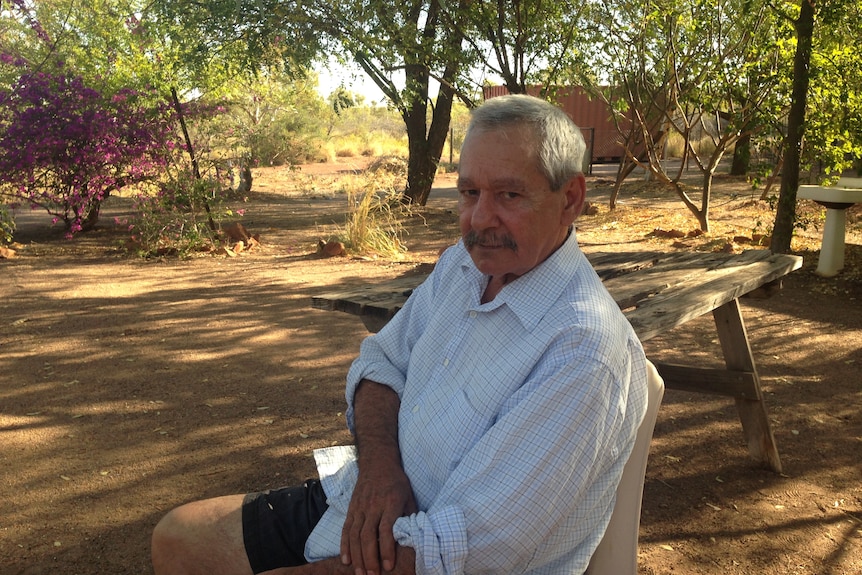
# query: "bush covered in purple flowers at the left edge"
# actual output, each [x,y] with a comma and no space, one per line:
[64,147]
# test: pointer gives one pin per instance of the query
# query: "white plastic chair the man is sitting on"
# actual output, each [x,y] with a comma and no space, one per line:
[617,553]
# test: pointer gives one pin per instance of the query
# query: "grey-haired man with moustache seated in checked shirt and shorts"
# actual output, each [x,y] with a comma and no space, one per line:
[492,416]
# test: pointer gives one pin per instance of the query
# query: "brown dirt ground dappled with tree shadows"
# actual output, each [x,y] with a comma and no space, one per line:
[130,386]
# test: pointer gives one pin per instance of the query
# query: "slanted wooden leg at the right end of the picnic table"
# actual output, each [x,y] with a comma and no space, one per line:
[752,411]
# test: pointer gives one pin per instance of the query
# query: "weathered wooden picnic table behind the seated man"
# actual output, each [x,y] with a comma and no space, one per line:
[656,292]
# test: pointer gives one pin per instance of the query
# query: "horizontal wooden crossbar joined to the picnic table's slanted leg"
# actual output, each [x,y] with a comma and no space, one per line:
[742,384]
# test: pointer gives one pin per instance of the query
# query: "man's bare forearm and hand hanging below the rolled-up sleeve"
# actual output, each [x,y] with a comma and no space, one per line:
[383,492]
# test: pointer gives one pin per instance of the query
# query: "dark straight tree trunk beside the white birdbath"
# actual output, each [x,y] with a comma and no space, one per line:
[785,214]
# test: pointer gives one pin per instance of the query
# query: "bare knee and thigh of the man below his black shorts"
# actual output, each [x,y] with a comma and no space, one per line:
[204,537]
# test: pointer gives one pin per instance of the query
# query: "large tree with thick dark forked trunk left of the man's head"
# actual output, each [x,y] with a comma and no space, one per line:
[401,46]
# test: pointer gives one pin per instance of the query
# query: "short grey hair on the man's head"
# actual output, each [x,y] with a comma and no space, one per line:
[559,141]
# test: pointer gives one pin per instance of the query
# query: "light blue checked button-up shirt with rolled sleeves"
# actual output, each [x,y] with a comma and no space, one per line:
[516,418]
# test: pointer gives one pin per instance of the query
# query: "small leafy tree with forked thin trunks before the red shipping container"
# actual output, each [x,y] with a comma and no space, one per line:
[690,69]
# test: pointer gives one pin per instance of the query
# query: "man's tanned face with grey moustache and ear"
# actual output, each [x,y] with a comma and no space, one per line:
[510,219]
